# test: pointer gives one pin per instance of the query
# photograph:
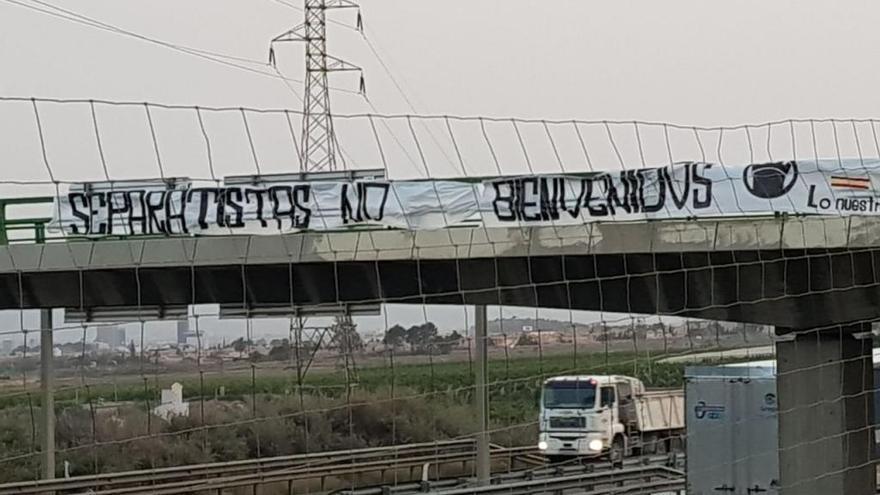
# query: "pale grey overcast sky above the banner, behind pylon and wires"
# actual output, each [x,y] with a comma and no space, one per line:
[689,62]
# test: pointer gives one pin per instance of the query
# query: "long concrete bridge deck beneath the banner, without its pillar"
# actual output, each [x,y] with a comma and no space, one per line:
[787,271]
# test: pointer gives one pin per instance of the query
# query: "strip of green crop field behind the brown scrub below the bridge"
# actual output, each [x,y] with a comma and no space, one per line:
[453,379]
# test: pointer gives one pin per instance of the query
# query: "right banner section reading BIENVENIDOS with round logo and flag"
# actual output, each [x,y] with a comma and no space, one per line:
[682,191]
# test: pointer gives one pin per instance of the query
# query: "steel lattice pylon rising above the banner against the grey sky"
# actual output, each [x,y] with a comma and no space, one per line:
[319,146]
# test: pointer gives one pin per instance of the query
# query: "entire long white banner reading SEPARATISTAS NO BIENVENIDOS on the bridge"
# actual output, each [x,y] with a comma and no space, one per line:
[680,191]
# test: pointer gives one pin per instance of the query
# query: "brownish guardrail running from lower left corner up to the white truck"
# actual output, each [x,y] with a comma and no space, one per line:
[221,476]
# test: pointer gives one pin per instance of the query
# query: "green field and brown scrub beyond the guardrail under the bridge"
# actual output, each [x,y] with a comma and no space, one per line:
[263,412]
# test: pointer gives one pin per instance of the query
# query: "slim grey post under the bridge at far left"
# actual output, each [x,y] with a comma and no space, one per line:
[48,395]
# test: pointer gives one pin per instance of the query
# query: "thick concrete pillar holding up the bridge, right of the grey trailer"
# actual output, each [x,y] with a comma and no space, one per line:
[825,400]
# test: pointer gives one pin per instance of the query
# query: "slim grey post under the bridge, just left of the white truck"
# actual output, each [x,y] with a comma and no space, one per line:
[481,397]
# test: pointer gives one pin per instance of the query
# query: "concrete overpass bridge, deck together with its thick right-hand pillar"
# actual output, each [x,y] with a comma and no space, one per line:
[817,279]
